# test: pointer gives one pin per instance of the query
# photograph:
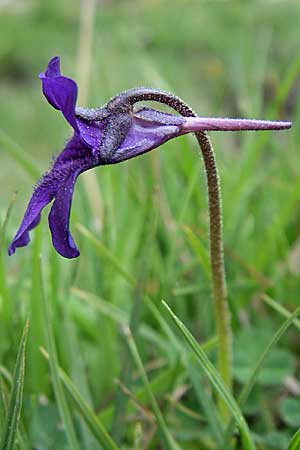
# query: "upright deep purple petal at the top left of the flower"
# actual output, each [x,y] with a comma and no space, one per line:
[60,91]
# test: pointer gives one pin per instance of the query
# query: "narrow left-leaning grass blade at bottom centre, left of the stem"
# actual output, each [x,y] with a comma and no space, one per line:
[168,440]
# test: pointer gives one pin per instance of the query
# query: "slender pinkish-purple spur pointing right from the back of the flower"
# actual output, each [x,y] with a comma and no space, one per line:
[193,124]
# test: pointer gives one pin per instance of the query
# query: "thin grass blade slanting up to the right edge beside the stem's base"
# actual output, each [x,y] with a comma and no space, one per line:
[248,387]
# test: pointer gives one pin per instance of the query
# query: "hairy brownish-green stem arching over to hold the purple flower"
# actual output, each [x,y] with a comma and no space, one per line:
[221,308]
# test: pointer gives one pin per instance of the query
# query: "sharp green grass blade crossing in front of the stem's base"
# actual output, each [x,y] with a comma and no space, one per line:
[216,380]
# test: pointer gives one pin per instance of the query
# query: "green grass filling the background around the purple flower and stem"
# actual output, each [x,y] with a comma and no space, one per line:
[143,234]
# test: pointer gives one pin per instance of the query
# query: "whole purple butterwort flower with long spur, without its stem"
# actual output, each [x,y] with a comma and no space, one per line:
[108,135]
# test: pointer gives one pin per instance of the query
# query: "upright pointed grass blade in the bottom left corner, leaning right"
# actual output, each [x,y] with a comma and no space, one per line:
[15,402]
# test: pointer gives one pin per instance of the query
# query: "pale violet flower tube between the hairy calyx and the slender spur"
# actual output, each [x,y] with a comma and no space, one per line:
[149,129]
